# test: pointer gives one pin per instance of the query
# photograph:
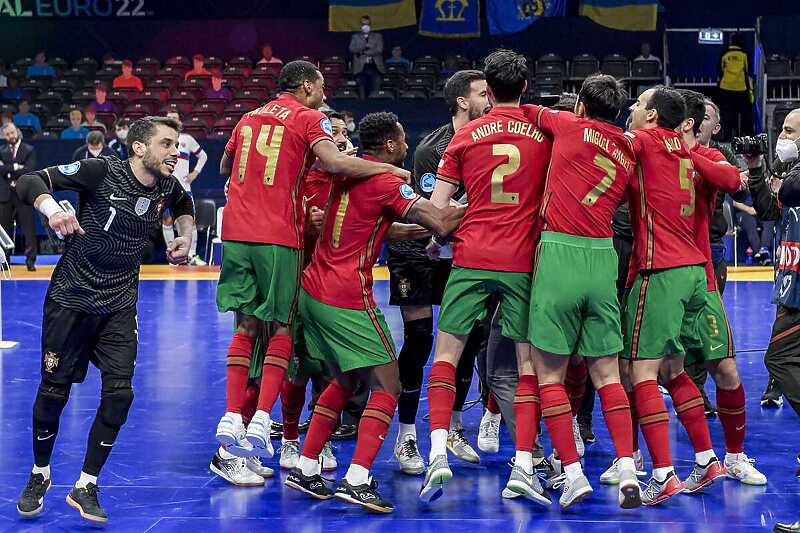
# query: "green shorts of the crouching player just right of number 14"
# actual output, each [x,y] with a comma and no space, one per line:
[346,338]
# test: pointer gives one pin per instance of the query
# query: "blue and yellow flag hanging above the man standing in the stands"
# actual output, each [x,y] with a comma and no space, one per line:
[345,15]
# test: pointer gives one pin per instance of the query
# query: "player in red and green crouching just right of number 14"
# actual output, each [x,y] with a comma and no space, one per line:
[342,322]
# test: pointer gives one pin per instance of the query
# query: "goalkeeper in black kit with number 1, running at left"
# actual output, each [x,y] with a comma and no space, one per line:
[90,307]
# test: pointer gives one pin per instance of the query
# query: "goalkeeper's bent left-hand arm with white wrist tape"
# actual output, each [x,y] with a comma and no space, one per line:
[36,188]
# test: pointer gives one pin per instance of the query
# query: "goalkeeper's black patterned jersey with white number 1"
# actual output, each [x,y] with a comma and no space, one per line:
[99,271]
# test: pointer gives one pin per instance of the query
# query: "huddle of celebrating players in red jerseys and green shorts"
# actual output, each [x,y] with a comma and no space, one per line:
[535,236]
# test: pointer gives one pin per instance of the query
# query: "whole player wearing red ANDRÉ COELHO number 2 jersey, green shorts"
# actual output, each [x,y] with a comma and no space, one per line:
[501,161]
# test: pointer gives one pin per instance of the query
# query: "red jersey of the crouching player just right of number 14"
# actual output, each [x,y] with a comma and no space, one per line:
[359,215]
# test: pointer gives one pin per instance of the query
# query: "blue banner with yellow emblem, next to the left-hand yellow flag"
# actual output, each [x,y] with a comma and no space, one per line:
[450,19]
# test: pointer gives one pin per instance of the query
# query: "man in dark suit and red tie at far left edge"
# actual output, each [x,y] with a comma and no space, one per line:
[16,159]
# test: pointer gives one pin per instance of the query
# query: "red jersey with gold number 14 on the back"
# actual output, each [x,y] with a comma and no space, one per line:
[271,151]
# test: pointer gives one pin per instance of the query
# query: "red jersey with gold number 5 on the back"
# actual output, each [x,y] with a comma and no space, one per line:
[662,202]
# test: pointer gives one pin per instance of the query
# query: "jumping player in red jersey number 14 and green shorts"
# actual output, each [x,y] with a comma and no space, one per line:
[268,156]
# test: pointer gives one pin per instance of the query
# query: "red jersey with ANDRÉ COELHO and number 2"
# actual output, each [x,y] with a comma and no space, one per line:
[501,159]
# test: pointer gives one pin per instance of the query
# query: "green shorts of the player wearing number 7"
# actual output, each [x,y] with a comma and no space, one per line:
[574,307]
